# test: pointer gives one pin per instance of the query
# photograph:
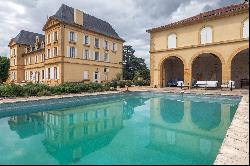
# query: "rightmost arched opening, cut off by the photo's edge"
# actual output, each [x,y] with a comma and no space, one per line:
[240,69]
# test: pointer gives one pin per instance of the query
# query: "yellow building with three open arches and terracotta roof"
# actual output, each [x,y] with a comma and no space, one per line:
[211,46]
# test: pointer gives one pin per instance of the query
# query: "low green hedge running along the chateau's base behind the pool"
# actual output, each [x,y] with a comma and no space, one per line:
[30,89]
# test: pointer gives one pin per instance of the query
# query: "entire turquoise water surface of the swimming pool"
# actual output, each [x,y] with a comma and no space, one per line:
[134,128]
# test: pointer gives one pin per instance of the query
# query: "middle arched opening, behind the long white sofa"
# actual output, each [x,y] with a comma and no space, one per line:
[207,67]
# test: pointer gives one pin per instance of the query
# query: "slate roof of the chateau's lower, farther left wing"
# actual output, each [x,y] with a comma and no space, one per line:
[27,38]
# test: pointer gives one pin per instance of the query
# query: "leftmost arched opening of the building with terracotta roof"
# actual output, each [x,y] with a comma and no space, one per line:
[172,71]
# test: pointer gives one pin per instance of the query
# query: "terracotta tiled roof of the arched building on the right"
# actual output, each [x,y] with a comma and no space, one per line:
[206,15]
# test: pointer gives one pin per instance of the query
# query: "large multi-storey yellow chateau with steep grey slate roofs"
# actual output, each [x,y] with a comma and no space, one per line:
[76,47]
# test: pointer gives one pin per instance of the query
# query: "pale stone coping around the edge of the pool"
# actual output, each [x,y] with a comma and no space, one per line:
[235,147]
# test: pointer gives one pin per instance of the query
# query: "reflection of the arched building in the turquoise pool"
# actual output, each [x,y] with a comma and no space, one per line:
[192,130]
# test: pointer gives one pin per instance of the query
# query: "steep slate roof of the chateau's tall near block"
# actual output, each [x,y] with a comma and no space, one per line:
[66,14]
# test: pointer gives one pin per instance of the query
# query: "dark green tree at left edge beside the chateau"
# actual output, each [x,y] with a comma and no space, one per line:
[4,69]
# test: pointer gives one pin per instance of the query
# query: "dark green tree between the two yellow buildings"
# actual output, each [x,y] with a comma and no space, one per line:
[133,67]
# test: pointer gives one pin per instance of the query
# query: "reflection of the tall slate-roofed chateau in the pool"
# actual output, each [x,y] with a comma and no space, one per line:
[74,133]
